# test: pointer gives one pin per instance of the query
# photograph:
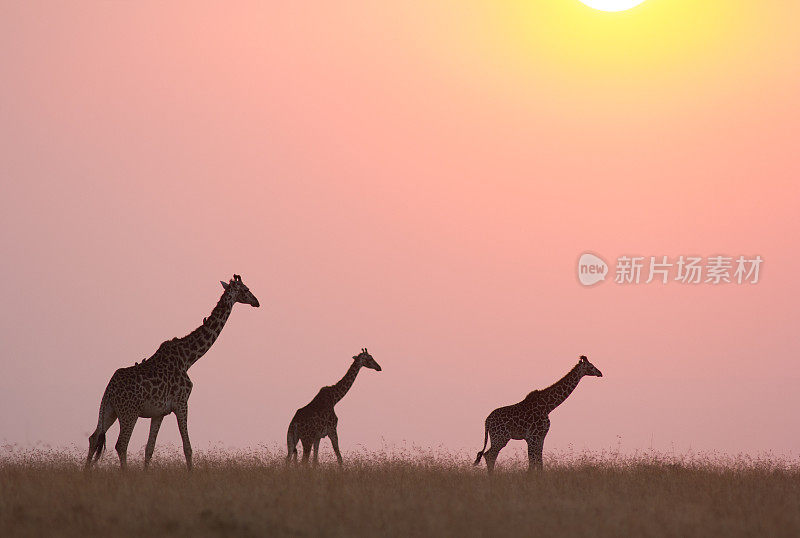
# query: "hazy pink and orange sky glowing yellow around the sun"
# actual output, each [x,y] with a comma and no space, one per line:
[415,177]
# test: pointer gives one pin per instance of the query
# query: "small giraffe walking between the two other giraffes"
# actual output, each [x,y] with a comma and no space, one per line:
[317,419]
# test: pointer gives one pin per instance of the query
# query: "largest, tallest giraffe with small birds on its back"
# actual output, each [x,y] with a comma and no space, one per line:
[160,385]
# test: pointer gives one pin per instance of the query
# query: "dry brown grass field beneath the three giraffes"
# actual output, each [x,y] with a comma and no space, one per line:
[402,494]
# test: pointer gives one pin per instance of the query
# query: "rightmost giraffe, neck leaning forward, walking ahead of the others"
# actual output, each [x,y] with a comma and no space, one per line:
[529,419]
